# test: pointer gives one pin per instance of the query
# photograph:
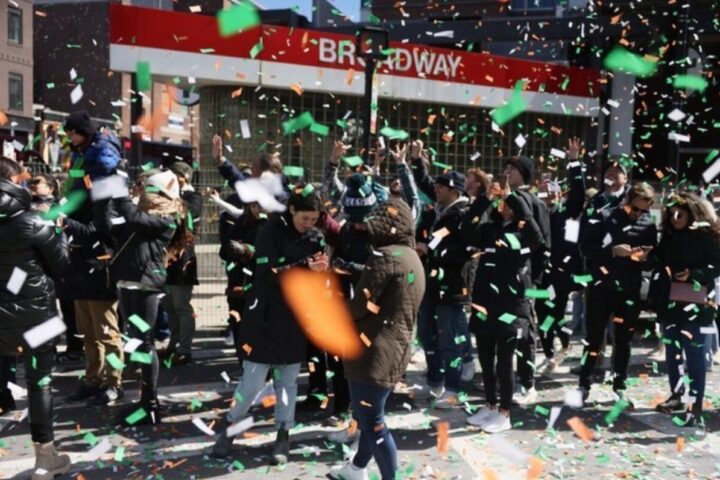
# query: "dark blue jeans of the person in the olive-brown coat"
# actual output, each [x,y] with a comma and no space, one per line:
[368,402]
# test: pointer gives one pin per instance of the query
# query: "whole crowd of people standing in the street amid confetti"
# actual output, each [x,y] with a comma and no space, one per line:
[439,258]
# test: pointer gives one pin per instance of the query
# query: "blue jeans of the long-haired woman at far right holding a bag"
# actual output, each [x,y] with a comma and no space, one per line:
[677,344]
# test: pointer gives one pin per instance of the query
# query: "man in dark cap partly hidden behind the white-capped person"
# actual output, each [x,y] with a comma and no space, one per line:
[182,276]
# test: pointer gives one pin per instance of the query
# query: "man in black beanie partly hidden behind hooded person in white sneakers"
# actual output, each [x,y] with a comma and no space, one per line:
[519,171]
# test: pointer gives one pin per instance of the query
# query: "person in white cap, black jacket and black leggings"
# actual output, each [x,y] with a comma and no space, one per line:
[146,235]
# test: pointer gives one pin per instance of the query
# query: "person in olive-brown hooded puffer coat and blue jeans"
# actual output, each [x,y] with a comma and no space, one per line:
[394,282]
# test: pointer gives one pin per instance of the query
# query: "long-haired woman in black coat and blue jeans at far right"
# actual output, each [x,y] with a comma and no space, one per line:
[688,261]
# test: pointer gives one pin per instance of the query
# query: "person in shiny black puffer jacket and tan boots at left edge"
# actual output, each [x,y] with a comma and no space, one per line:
[29,246]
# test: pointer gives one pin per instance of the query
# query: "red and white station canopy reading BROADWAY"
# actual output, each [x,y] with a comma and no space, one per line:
[188,49]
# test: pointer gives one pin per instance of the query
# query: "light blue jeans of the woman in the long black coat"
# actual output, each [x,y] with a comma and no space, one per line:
[253,381]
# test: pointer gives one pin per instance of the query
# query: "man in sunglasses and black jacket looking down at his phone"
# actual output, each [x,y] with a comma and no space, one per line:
[617,245]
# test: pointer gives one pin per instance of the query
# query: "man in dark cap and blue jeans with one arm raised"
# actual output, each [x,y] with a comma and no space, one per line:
[442,318]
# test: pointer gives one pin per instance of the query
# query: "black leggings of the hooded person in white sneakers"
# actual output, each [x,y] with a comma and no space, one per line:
[496,355]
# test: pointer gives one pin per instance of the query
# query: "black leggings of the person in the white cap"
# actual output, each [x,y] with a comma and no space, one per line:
[144,304]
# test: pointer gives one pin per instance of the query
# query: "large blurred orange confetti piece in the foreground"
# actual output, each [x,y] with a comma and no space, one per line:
[318,304]
